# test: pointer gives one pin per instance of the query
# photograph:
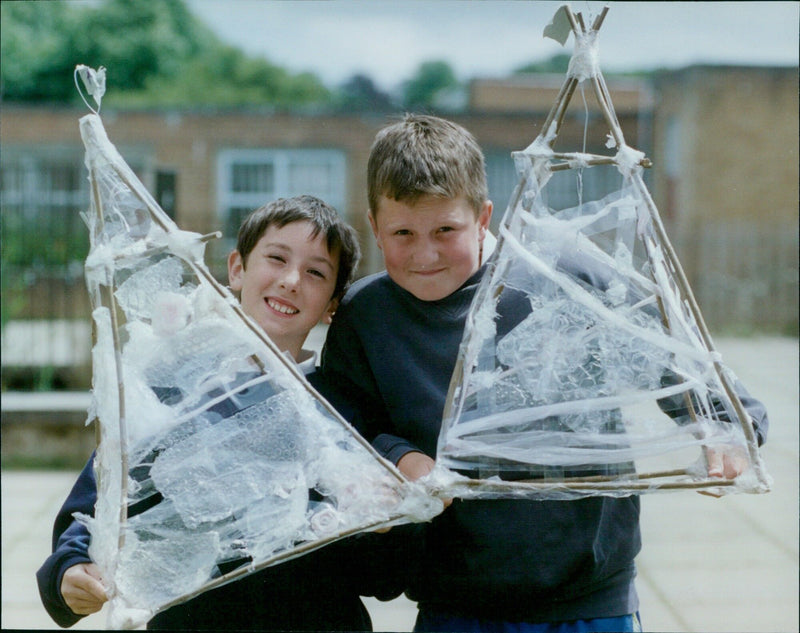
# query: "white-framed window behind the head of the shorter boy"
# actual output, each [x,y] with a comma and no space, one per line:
[248,179]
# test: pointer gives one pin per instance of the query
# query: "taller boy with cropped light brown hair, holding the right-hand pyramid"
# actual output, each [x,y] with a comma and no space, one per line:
[484,565]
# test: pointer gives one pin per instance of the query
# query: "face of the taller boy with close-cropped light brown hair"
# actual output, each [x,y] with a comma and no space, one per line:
[432,247]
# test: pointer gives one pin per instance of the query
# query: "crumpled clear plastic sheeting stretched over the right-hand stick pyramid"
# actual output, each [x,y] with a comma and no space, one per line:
[570,382]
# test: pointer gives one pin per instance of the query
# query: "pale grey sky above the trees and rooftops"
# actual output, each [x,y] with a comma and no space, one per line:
[389,39]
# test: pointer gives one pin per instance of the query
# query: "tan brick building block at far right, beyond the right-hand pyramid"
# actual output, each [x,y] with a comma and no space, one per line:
[726,183]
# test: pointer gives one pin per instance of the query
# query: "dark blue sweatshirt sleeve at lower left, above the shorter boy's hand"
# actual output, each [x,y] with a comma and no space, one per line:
[70,546]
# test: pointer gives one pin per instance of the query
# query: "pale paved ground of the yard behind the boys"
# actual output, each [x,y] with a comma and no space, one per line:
[727,564]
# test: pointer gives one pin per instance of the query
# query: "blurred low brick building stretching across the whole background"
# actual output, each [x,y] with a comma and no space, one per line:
[723,142]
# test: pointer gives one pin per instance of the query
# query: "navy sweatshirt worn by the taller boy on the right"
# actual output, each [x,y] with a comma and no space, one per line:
[391,357]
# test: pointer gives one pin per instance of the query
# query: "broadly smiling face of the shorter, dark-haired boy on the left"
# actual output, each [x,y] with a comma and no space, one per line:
[287,283]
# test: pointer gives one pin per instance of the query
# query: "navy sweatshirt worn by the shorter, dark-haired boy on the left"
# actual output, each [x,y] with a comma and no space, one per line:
[318,591]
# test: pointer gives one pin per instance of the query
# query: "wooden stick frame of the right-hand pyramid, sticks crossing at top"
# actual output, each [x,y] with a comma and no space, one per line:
[670,480]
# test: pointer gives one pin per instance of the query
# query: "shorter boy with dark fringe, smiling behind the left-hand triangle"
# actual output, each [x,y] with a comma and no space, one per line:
[293,262]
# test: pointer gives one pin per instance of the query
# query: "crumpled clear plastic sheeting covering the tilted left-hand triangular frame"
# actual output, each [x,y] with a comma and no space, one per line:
[215,457]
